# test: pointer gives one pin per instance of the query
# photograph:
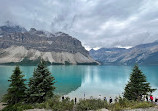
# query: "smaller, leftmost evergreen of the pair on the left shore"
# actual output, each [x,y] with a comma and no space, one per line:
[16,91]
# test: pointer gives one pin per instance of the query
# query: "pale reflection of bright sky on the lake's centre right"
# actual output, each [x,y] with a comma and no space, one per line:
[102,80]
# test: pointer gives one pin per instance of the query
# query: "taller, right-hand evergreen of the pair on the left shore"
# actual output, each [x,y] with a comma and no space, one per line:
[41,85]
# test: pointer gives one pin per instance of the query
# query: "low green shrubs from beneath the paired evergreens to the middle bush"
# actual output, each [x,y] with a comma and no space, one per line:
[54,104]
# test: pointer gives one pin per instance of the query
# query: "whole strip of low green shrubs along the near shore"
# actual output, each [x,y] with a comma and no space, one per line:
[89,104]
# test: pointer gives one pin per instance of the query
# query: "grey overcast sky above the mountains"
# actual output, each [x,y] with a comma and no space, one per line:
[97,23]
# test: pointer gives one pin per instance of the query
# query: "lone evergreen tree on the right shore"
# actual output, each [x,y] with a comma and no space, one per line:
[137,85]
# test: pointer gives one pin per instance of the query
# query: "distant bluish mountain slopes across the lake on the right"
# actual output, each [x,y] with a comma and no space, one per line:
[146,54]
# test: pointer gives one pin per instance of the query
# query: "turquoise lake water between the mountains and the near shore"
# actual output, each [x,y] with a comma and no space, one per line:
[77,81]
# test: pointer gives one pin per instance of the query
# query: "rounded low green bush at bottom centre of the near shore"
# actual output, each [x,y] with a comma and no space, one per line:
[91,104]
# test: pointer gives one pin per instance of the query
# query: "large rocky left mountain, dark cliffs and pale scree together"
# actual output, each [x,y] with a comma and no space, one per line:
[17,45]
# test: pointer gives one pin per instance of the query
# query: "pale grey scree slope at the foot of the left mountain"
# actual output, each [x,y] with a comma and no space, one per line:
[19,54]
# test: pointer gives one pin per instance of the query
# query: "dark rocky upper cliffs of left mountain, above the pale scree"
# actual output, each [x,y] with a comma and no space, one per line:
[40,40]
